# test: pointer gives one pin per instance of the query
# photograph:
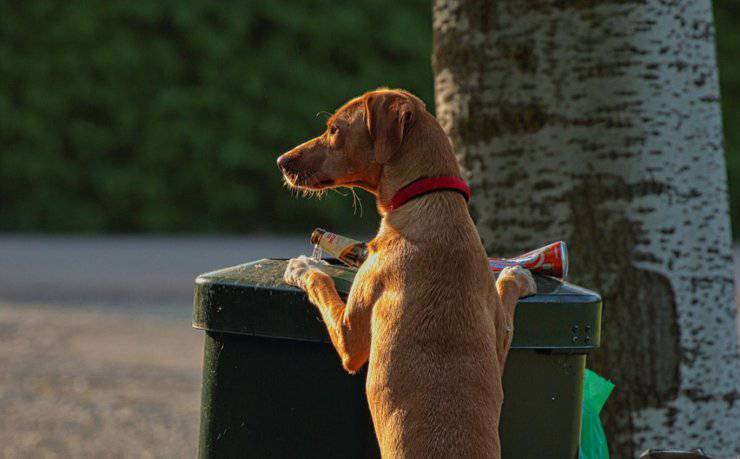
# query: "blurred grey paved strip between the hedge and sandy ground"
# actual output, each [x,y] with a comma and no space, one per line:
[144,270]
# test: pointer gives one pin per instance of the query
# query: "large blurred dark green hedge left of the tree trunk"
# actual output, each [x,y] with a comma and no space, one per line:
[168,116]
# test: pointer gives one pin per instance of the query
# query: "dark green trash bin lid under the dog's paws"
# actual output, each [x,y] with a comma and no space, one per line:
[252,299]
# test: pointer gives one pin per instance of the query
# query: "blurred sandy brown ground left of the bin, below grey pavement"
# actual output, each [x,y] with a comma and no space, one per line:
[84,383]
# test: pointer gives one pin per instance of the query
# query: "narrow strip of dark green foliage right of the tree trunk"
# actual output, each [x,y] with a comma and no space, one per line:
[727,23]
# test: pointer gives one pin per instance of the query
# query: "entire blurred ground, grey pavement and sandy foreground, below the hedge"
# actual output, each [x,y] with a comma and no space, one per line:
[98,358]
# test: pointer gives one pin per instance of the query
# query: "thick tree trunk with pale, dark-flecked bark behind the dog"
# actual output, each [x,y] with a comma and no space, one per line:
[599,123]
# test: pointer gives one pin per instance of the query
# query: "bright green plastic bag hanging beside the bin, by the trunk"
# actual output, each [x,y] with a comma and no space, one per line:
[593,441]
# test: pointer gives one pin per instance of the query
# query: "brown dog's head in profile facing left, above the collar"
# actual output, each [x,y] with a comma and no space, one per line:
[362,136]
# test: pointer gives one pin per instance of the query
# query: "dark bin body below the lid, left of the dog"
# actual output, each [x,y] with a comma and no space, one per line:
[265,397]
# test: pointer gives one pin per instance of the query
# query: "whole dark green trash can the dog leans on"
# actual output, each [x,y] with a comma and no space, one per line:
[273,385]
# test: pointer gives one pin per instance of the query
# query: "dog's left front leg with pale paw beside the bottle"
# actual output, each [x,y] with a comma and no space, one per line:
[348,324]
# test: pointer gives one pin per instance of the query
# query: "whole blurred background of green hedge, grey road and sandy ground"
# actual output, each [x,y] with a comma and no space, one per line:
[137,148]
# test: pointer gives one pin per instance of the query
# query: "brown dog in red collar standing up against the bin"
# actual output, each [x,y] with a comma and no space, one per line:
[424,308]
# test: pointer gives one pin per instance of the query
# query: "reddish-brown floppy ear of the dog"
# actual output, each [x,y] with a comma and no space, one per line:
[388,118]
